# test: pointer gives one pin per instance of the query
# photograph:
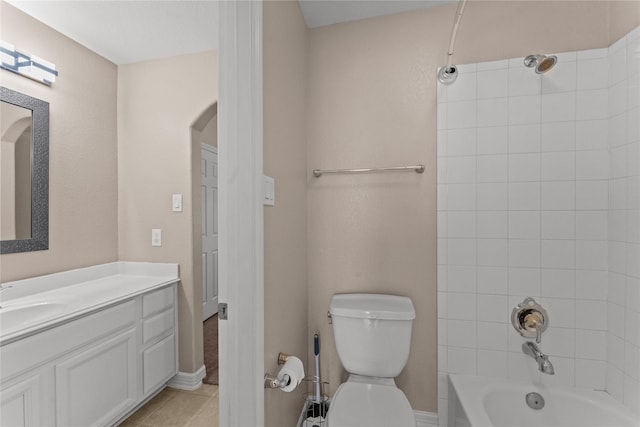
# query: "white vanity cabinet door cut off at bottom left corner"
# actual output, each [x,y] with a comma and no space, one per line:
[20,404]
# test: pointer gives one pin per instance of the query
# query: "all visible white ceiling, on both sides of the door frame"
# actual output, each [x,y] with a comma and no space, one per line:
[133,31]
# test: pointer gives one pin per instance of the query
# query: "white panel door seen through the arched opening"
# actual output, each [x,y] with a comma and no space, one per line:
[209,231]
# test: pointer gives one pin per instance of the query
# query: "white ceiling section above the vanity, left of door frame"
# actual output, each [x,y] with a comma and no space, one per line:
[130,31]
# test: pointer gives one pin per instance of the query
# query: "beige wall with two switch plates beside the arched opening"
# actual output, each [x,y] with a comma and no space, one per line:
[158,101]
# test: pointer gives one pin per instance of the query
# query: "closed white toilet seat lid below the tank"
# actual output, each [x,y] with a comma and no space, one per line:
[357,404]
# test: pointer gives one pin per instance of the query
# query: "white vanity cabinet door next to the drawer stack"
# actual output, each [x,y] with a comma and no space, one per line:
[96,385]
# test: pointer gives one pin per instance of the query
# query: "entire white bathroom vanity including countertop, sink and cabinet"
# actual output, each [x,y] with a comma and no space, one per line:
[88,346]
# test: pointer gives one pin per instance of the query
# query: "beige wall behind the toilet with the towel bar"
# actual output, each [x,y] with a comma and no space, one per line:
[370,105]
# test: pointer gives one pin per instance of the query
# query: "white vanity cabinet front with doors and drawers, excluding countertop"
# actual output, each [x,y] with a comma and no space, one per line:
[94,369]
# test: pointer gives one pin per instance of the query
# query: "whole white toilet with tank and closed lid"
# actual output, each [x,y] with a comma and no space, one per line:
[373,337]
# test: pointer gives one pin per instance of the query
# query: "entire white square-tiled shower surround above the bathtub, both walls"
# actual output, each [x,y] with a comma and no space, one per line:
[531,203]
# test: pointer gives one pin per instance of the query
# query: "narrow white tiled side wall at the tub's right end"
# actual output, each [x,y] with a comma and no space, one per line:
[623,301]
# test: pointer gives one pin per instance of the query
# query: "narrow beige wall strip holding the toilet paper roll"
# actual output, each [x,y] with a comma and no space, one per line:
[285,224]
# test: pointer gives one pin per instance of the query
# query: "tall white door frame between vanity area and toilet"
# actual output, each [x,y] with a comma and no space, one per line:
[241,222]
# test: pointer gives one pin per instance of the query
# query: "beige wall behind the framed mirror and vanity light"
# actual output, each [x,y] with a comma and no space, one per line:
[83,162]
